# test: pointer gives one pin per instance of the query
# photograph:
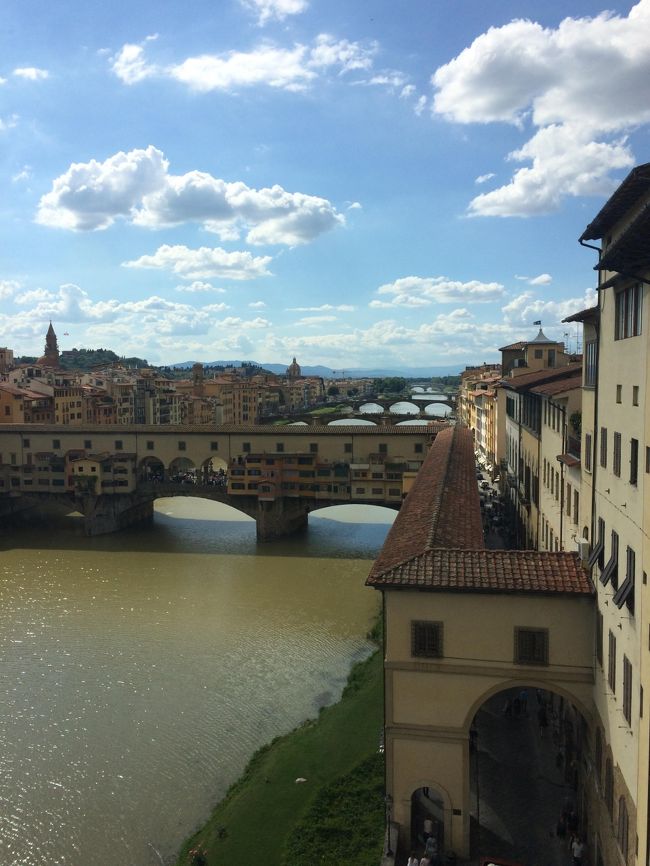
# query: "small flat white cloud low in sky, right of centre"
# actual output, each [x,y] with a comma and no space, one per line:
[423,291]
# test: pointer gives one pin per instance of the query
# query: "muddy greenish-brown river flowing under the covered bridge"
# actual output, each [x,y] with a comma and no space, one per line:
[142,670]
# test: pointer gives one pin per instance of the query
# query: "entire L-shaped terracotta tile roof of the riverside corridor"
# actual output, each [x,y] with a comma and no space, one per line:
[436,542]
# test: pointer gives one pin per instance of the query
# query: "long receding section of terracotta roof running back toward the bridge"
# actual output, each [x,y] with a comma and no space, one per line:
[442,509]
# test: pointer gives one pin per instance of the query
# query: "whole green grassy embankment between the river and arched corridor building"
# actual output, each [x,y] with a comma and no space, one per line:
[335,817]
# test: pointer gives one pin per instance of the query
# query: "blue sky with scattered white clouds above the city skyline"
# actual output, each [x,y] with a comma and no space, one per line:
[357,184]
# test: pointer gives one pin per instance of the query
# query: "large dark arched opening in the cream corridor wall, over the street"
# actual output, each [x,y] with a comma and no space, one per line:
[526,791]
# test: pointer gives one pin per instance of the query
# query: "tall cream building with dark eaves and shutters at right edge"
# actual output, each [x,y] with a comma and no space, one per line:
[615,517]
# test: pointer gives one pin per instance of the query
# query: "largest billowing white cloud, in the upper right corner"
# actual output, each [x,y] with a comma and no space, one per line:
[580,86]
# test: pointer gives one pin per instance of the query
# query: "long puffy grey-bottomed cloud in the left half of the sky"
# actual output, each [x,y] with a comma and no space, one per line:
[137,187]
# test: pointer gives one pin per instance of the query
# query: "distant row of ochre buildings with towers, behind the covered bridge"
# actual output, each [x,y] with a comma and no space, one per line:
[44,393]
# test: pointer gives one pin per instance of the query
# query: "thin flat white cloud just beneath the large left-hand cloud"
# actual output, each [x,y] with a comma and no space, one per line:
[204,263]
